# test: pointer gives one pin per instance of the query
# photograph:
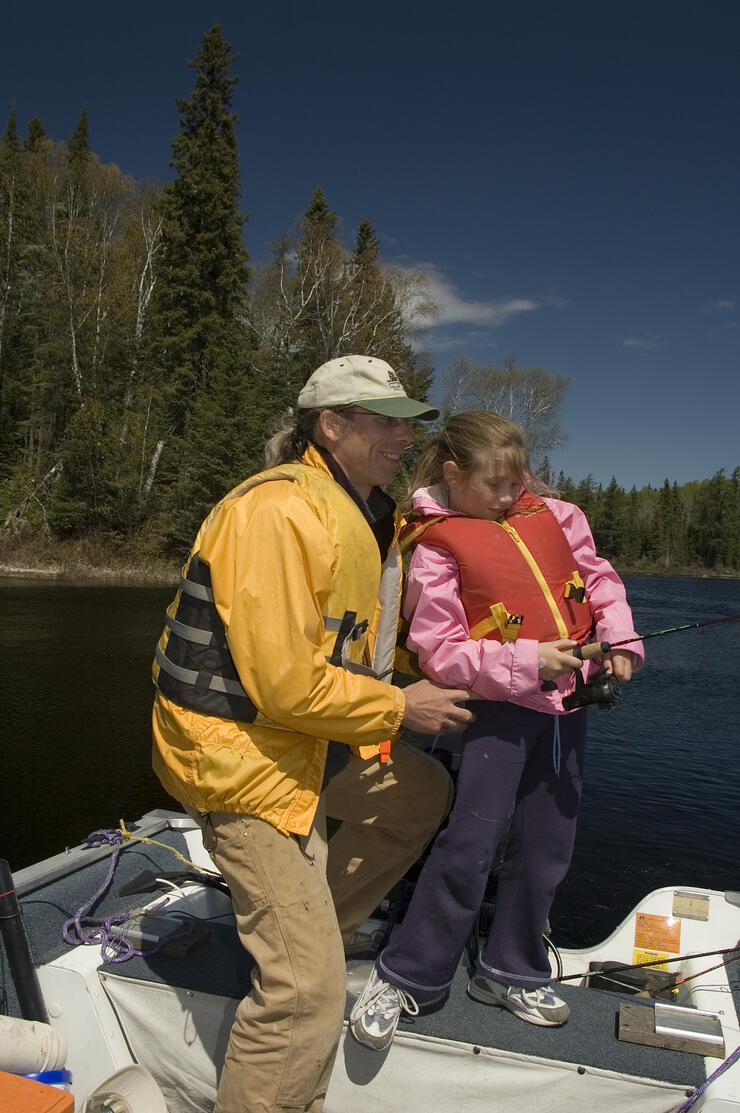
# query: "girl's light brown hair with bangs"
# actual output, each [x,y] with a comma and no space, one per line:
[469,439]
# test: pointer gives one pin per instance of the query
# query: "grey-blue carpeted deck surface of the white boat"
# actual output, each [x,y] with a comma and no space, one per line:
[219,966]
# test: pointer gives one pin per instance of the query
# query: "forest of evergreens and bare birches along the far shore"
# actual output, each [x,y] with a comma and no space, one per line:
[144,359]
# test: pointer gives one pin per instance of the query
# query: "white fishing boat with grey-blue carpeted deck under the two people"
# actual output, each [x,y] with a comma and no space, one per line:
[155,986]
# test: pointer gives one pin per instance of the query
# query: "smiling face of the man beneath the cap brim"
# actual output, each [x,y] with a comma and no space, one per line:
[369,448]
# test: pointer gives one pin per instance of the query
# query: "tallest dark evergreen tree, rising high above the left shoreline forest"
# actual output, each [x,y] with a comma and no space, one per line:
[198,339]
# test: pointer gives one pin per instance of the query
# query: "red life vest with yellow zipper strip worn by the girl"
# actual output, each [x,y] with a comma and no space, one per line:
[519,577]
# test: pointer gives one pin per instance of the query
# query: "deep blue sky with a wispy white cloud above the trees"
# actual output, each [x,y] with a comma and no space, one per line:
[568,175]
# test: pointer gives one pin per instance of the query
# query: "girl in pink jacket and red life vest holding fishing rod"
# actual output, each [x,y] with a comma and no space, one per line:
[504,585]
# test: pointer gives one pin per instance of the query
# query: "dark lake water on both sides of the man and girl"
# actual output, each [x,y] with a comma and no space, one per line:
[662,804]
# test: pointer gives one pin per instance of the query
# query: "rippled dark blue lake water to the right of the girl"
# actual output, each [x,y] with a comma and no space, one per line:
[662,803]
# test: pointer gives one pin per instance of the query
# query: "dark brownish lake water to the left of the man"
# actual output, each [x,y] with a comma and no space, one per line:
[75,737]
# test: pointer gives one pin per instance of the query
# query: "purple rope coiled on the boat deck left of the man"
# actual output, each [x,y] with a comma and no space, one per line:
[87,931]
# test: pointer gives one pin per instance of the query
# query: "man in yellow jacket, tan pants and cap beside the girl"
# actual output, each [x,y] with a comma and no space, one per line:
[279,647]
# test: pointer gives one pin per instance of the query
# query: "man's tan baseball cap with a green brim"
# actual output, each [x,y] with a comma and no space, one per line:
[362,381]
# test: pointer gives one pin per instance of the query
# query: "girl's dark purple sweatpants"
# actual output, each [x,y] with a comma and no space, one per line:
[507,766]
